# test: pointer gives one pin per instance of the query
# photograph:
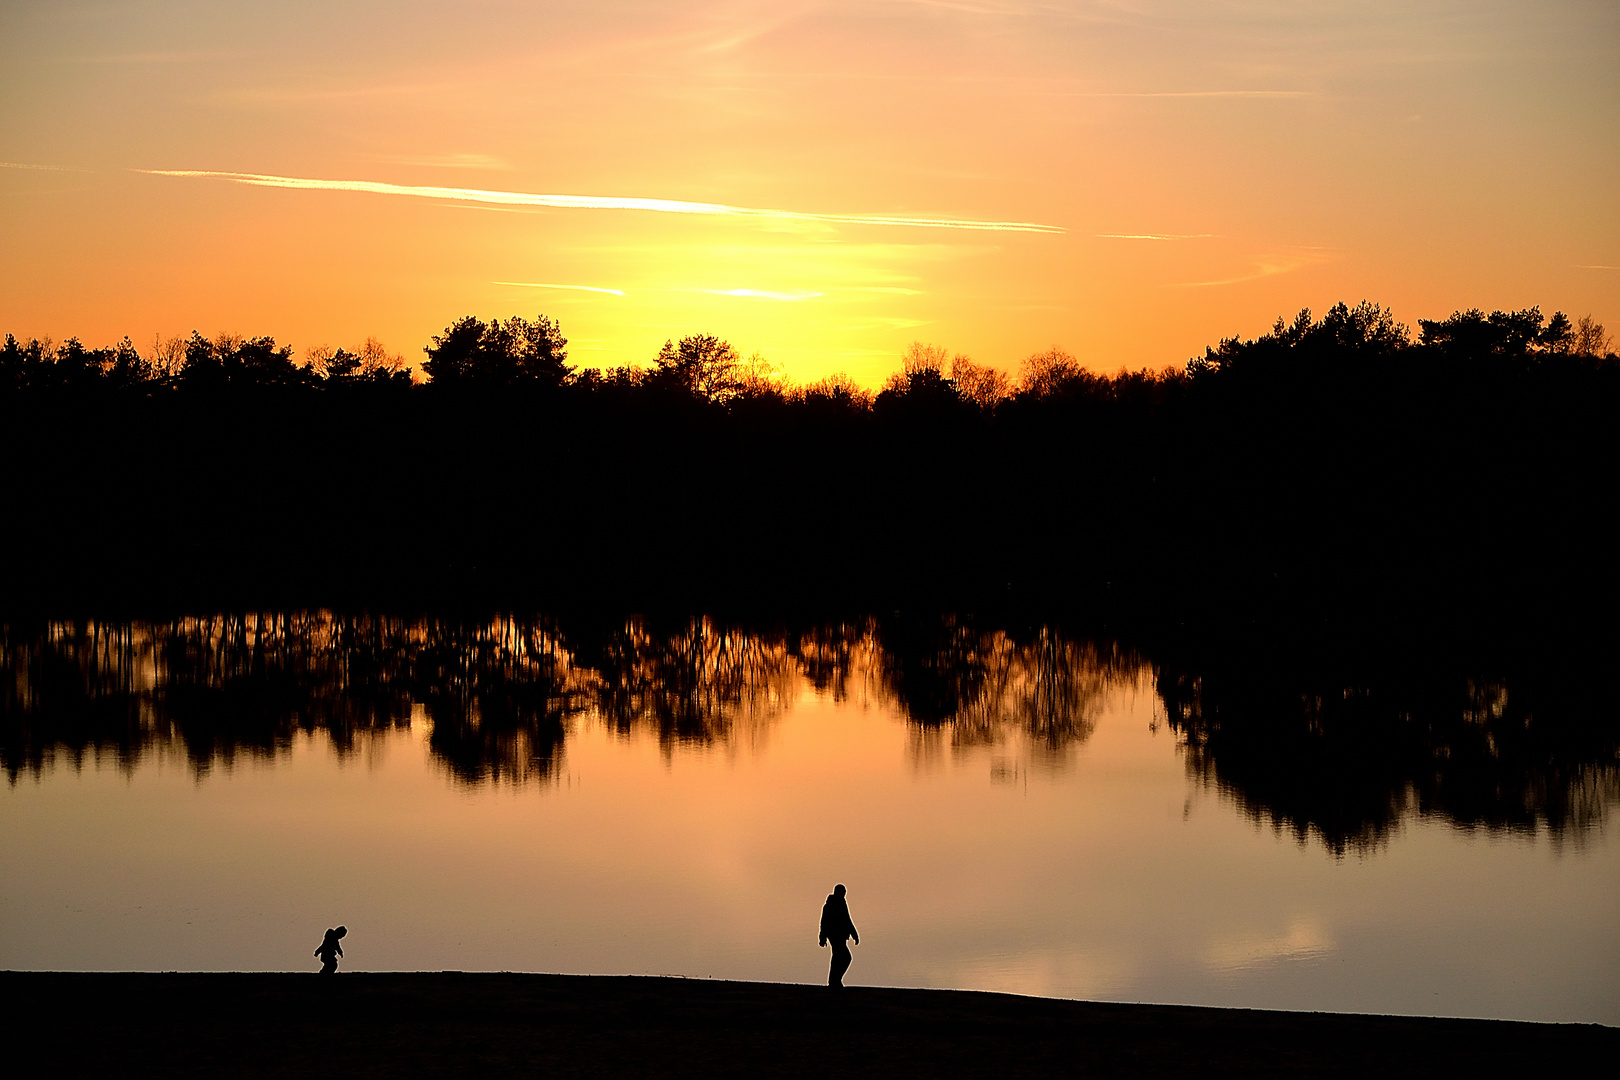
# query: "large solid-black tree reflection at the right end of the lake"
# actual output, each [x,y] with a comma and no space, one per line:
[1349,765]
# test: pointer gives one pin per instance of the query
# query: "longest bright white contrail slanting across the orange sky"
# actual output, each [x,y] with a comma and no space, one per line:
[597,203]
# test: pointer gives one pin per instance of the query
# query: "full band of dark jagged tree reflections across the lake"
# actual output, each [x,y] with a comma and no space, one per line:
[1331,760]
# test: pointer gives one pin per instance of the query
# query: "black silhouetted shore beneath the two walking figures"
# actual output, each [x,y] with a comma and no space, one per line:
[560,1026]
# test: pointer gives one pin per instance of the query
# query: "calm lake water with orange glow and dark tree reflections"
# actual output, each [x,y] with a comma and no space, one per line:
[1012,810]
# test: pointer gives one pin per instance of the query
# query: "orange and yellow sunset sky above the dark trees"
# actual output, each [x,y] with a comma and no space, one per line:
[816,182]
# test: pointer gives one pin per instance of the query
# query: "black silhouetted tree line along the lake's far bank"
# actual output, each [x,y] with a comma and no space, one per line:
[1339,475]
